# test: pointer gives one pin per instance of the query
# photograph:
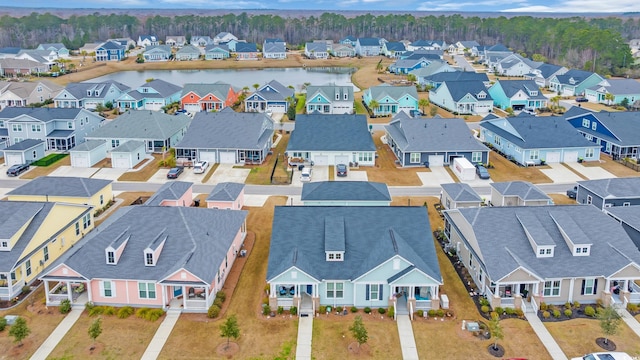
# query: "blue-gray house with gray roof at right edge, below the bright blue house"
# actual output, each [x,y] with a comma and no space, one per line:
[606,193]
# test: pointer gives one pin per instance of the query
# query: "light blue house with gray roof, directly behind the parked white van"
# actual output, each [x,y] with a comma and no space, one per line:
[433,141]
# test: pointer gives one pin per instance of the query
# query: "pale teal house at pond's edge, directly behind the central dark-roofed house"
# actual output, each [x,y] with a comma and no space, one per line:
[329,99]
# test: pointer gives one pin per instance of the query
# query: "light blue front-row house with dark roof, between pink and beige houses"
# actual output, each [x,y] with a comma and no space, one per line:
[338,256]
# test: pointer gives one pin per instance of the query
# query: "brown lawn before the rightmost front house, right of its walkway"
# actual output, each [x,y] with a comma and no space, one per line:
[578,337]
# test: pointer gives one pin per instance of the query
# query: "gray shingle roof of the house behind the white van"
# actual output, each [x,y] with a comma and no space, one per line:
[433,134]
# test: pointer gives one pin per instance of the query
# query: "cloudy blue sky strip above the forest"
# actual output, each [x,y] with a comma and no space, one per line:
[567,6]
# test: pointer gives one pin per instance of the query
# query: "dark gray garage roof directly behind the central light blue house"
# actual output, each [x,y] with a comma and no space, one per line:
[345,191]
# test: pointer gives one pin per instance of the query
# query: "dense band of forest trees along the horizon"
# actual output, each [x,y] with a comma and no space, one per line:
[598,44]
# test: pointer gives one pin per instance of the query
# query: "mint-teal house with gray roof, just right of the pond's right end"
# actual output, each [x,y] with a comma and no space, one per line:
[391,99]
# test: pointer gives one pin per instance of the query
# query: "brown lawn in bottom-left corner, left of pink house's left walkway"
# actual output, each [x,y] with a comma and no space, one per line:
[40,320]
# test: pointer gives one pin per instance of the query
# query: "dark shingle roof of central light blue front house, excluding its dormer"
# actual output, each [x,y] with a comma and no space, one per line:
[298,239]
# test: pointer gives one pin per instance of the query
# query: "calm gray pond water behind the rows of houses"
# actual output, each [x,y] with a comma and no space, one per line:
[240,78]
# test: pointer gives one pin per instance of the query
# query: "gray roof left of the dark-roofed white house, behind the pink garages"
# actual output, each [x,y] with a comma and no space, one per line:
[228,129]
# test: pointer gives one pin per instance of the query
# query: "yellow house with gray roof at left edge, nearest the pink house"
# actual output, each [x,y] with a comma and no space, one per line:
[33,235]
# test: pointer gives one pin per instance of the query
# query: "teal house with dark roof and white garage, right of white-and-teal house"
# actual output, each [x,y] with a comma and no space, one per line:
[517,95]
